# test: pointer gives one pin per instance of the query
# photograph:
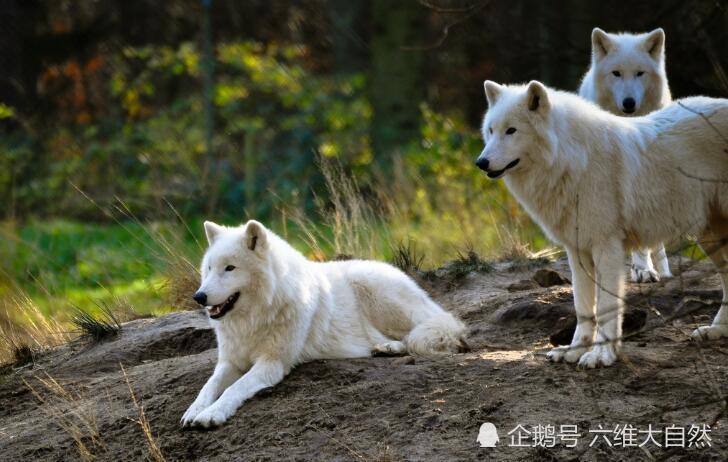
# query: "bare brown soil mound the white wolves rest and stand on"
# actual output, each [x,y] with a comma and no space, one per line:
[388,408]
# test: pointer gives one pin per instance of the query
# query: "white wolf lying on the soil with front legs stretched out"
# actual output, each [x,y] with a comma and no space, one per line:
[273,309]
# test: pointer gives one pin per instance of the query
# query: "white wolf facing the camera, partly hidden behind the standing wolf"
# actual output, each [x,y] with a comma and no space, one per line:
[627,77]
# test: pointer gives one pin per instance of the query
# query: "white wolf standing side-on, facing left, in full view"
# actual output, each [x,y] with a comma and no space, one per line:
[600,184]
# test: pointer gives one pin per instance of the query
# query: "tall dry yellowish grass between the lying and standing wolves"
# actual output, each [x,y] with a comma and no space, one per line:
[409,221]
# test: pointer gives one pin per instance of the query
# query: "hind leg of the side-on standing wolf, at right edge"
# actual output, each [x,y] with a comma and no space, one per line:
[715,244]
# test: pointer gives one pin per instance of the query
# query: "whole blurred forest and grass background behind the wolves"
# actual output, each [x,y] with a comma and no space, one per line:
[350,127]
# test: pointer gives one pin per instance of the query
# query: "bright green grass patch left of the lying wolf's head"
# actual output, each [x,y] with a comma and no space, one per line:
[61,264]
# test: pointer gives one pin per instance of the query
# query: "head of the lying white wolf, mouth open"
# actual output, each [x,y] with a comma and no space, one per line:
[236,269]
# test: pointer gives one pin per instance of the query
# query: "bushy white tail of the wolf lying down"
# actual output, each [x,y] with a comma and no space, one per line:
[440,333]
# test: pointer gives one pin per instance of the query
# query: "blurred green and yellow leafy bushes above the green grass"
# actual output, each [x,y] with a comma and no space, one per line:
[147,142]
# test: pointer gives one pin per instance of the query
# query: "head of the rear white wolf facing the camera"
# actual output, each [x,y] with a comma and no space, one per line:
[629,71]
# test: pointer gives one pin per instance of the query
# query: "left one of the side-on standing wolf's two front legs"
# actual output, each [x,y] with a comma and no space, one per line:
[582,271]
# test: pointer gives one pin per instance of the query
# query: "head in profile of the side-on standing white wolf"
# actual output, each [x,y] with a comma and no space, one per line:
[516,129]
